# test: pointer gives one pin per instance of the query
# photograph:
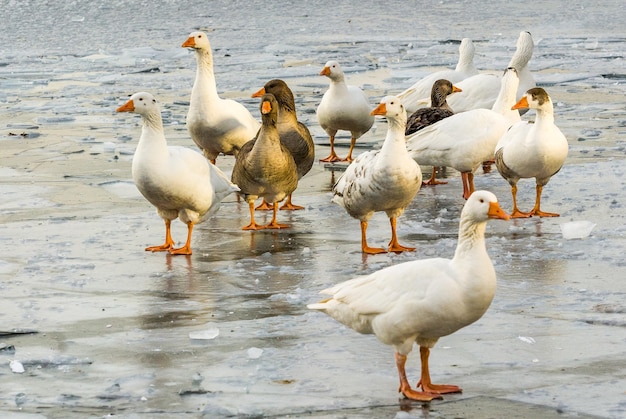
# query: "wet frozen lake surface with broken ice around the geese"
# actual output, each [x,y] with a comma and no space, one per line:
[107,329]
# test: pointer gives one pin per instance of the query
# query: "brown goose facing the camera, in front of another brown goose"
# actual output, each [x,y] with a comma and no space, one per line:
[264,167]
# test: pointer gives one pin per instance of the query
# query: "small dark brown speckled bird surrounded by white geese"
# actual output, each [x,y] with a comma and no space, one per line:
[438,110]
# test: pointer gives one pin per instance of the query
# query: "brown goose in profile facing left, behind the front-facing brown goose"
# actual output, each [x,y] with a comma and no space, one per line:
[294,135]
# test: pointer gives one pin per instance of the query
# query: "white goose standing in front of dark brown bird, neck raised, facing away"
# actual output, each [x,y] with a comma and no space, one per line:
[464,140]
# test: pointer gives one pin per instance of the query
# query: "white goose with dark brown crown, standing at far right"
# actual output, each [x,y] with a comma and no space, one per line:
[530,150]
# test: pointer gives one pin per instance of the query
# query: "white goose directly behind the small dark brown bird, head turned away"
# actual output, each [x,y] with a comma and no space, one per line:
[417,96]
